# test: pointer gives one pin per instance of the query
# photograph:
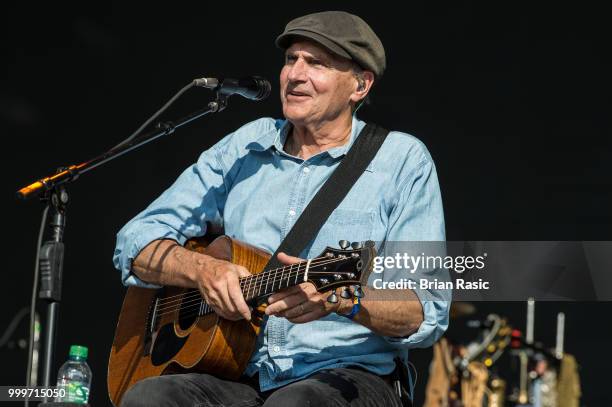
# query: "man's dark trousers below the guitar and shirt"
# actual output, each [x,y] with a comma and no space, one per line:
[333,387]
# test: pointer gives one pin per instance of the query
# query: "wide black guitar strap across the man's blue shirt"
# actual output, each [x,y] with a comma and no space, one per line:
[331,193]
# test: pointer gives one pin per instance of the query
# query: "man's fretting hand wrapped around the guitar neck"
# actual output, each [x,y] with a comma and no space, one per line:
[301,303]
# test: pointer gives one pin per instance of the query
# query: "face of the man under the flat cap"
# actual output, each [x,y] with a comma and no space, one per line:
[316,85]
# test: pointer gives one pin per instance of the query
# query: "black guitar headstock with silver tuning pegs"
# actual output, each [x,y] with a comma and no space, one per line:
[351,264]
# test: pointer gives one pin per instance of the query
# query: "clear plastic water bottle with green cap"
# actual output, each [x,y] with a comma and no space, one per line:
[74,377]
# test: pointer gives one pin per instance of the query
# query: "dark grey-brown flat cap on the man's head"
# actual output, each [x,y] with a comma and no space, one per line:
[342,33]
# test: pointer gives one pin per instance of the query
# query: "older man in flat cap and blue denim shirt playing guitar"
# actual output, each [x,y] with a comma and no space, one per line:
[254,183]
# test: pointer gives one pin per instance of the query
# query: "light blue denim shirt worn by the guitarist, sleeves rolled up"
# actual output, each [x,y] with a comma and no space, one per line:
[248,184]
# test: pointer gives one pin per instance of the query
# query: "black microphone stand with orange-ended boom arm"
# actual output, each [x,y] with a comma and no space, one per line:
[56,197]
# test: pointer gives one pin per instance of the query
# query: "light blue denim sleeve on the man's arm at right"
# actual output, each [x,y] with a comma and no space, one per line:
[417,225]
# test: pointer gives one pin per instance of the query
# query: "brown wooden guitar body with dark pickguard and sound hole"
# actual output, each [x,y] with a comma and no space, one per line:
[180,339]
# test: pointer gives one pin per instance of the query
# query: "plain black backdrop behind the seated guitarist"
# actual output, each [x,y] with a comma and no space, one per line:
[513,102]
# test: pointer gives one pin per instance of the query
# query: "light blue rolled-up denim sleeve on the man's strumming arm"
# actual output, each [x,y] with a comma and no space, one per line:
[181,212]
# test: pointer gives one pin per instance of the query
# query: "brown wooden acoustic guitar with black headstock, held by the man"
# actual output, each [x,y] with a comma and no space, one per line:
[173,330]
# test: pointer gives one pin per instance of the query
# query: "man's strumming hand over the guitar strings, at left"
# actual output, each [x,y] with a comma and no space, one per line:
[218,281]
